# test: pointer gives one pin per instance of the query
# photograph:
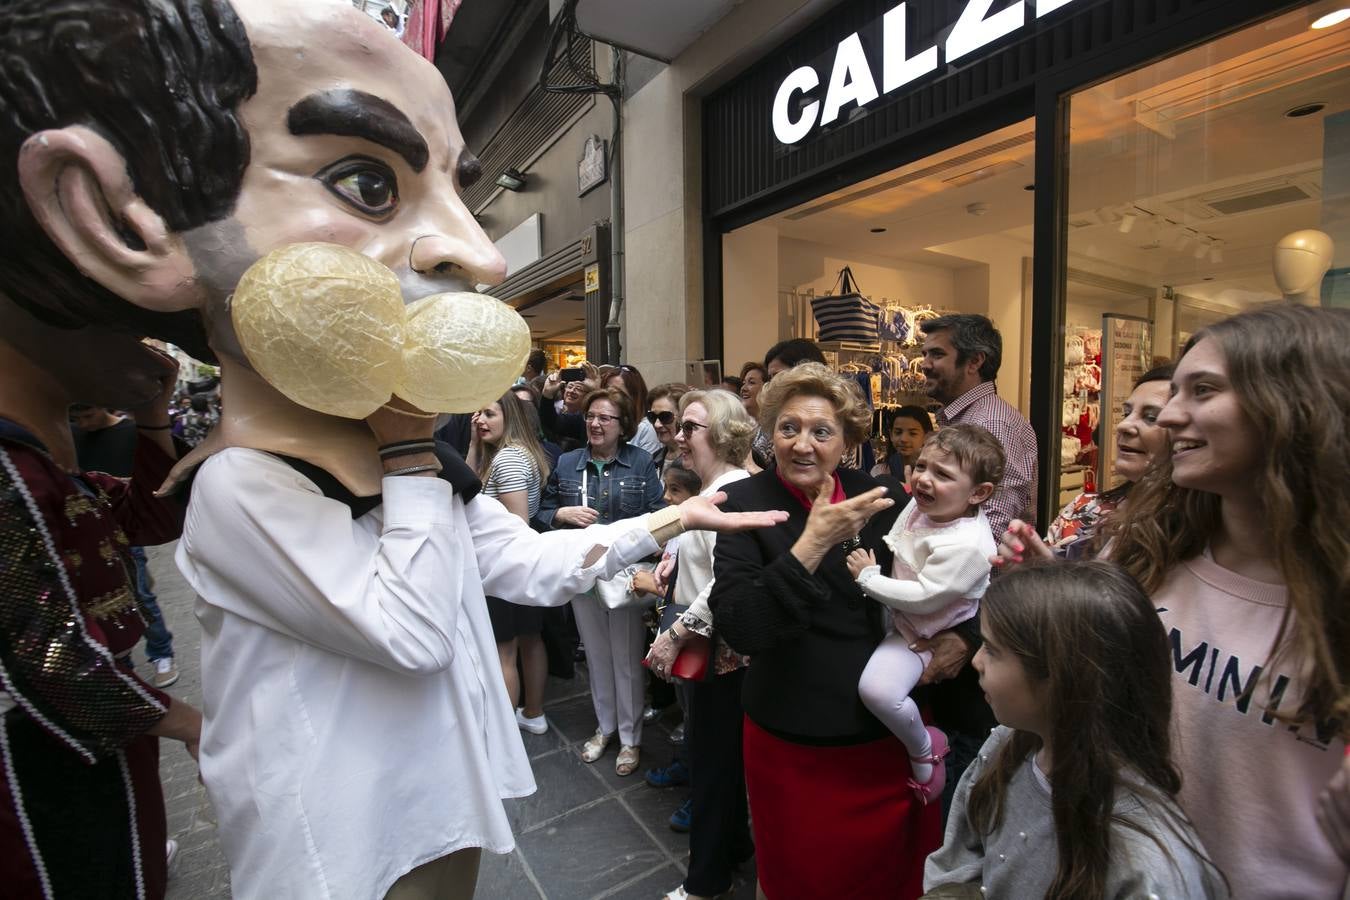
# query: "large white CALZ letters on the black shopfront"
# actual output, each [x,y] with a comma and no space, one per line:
[853,79]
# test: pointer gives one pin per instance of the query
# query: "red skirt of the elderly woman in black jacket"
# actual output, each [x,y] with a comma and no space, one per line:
[836,821]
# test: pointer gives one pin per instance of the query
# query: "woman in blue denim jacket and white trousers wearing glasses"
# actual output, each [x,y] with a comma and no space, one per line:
[603,482]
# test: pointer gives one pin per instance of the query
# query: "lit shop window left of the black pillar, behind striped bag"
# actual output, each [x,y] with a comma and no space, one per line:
[950,233]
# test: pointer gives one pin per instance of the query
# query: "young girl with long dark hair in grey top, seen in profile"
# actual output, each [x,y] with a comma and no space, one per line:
[1074,798]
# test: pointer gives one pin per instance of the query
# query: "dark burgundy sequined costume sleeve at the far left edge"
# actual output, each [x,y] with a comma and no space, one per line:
[64,612]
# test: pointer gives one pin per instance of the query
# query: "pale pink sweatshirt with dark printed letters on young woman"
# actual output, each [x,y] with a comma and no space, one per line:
[1249,782]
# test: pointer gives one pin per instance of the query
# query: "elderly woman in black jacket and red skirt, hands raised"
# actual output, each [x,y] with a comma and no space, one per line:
[826,779]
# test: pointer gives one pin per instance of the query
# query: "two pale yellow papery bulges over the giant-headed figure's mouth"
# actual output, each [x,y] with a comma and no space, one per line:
[327,327]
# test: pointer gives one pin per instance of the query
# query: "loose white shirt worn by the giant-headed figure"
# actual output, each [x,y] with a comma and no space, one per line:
[357,724]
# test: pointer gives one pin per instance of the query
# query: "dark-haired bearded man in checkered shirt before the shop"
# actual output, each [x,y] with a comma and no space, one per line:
[962,357]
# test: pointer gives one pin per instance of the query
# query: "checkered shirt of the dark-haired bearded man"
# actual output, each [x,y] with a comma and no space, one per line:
[1016,497]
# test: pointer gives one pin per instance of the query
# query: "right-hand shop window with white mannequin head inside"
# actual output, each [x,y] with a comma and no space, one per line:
[1185,177]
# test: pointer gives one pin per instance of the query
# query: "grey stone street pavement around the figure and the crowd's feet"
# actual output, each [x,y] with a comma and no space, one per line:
[587,833]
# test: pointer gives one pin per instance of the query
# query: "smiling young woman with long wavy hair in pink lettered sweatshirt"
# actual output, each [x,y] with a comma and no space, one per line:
[1241,542]
